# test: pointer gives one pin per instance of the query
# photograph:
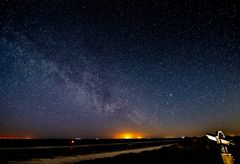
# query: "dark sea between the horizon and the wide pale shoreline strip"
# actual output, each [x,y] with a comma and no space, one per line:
[35,150]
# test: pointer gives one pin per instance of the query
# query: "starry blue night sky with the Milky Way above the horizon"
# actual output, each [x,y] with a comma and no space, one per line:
[98,68]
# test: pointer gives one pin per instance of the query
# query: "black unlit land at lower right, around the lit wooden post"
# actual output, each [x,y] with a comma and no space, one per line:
[187,151]
